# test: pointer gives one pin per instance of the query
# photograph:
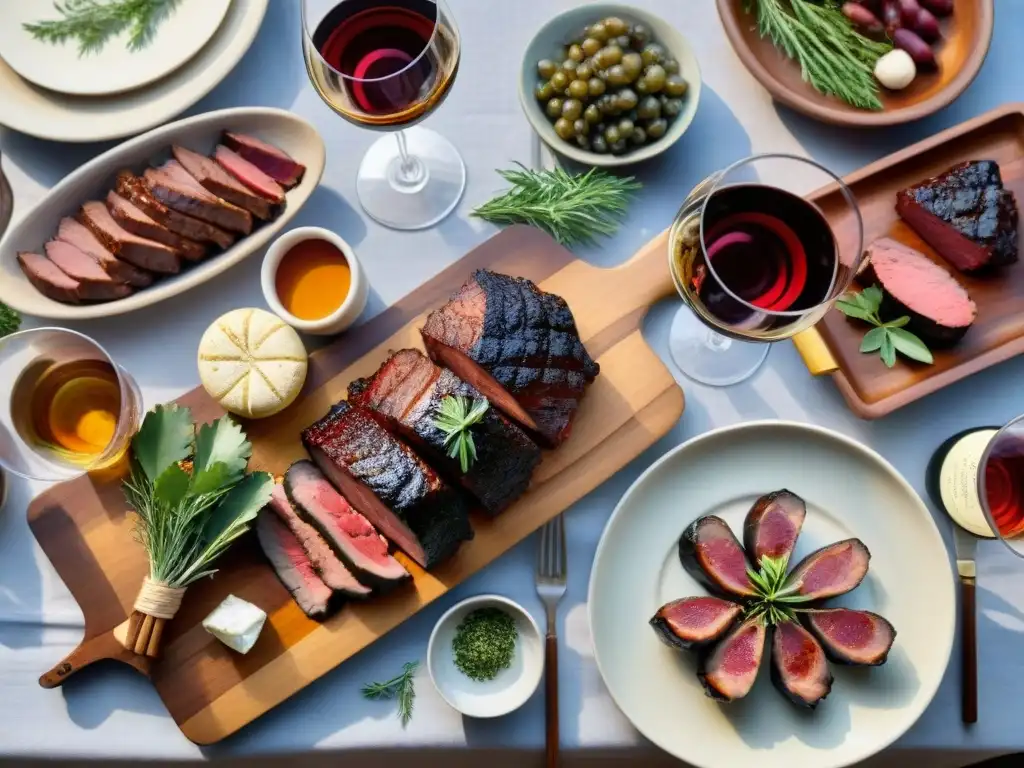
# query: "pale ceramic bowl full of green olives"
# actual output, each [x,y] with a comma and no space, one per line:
[610,86]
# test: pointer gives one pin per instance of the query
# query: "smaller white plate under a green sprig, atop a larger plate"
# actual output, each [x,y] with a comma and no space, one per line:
[113,69]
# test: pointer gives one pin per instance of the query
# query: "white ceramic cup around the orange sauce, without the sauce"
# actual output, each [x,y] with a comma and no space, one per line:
[351,309]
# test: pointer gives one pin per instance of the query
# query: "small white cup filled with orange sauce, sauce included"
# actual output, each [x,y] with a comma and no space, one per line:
[313,281]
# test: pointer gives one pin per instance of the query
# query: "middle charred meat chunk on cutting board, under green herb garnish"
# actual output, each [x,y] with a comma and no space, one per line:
[407,394]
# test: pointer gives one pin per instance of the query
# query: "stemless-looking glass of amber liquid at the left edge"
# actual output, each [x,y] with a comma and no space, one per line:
[72,409]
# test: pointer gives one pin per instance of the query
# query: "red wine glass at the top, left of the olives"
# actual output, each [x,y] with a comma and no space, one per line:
[387,65]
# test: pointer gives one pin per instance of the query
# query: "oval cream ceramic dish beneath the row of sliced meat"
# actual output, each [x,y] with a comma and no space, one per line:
[93,181]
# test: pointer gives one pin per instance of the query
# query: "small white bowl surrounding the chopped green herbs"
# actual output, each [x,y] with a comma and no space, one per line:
[510,690]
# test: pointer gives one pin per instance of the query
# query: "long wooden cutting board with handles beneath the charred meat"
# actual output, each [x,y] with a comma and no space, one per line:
[86,530]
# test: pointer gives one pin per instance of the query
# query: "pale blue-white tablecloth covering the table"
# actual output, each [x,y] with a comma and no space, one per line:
[111,712]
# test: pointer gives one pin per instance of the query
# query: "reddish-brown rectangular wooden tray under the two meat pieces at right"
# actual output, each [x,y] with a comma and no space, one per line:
[833,347]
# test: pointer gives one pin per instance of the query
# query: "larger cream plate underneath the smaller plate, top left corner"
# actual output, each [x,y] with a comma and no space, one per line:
[63,118]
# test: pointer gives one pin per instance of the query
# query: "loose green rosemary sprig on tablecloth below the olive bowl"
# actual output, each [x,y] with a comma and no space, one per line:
[573,208]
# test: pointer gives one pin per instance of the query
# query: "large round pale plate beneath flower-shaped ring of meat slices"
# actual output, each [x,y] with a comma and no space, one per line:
[850,492]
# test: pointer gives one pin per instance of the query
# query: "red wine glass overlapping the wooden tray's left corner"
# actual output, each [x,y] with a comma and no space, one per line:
[757,263]
